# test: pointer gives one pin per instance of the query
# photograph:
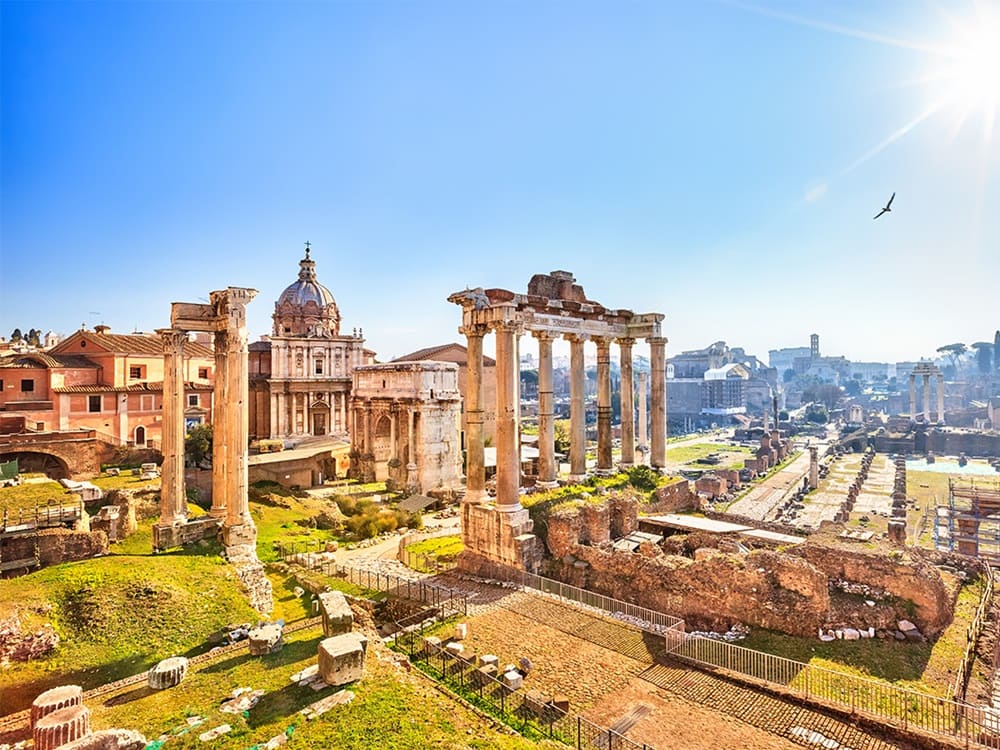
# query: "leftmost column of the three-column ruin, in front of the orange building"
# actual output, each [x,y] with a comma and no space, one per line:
[173,500]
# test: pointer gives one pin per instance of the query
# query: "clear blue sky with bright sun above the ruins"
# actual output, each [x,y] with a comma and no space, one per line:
[717,162]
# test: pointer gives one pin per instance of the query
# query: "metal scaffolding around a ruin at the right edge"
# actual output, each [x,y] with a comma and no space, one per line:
[970,523]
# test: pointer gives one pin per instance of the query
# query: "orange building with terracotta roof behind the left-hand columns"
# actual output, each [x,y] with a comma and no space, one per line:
[111,383]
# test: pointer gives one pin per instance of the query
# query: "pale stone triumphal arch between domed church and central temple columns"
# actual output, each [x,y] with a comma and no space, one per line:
[406,424]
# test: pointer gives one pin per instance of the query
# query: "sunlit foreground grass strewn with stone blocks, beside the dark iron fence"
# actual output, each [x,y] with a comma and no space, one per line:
[390,711]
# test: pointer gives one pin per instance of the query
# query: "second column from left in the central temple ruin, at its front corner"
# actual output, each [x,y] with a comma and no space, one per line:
[508,464]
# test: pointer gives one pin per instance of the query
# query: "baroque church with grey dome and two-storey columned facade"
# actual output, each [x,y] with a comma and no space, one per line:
[300,375]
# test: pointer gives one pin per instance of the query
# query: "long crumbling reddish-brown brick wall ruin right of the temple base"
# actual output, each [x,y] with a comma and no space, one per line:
[701,578]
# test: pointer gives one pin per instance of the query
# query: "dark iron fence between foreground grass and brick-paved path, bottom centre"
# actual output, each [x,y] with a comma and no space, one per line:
[532,712]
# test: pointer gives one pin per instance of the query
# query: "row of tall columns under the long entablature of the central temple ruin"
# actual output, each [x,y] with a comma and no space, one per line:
[508,405]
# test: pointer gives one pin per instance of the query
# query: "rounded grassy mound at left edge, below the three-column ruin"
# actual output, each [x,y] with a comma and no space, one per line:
[119,614]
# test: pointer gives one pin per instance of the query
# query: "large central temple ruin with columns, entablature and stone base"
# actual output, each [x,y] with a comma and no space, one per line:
[555,306]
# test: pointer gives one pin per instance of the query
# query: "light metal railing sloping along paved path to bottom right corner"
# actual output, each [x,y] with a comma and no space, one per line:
[894,705]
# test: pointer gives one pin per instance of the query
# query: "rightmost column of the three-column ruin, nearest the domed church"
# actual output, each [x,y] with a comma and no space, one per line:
[230,306]
